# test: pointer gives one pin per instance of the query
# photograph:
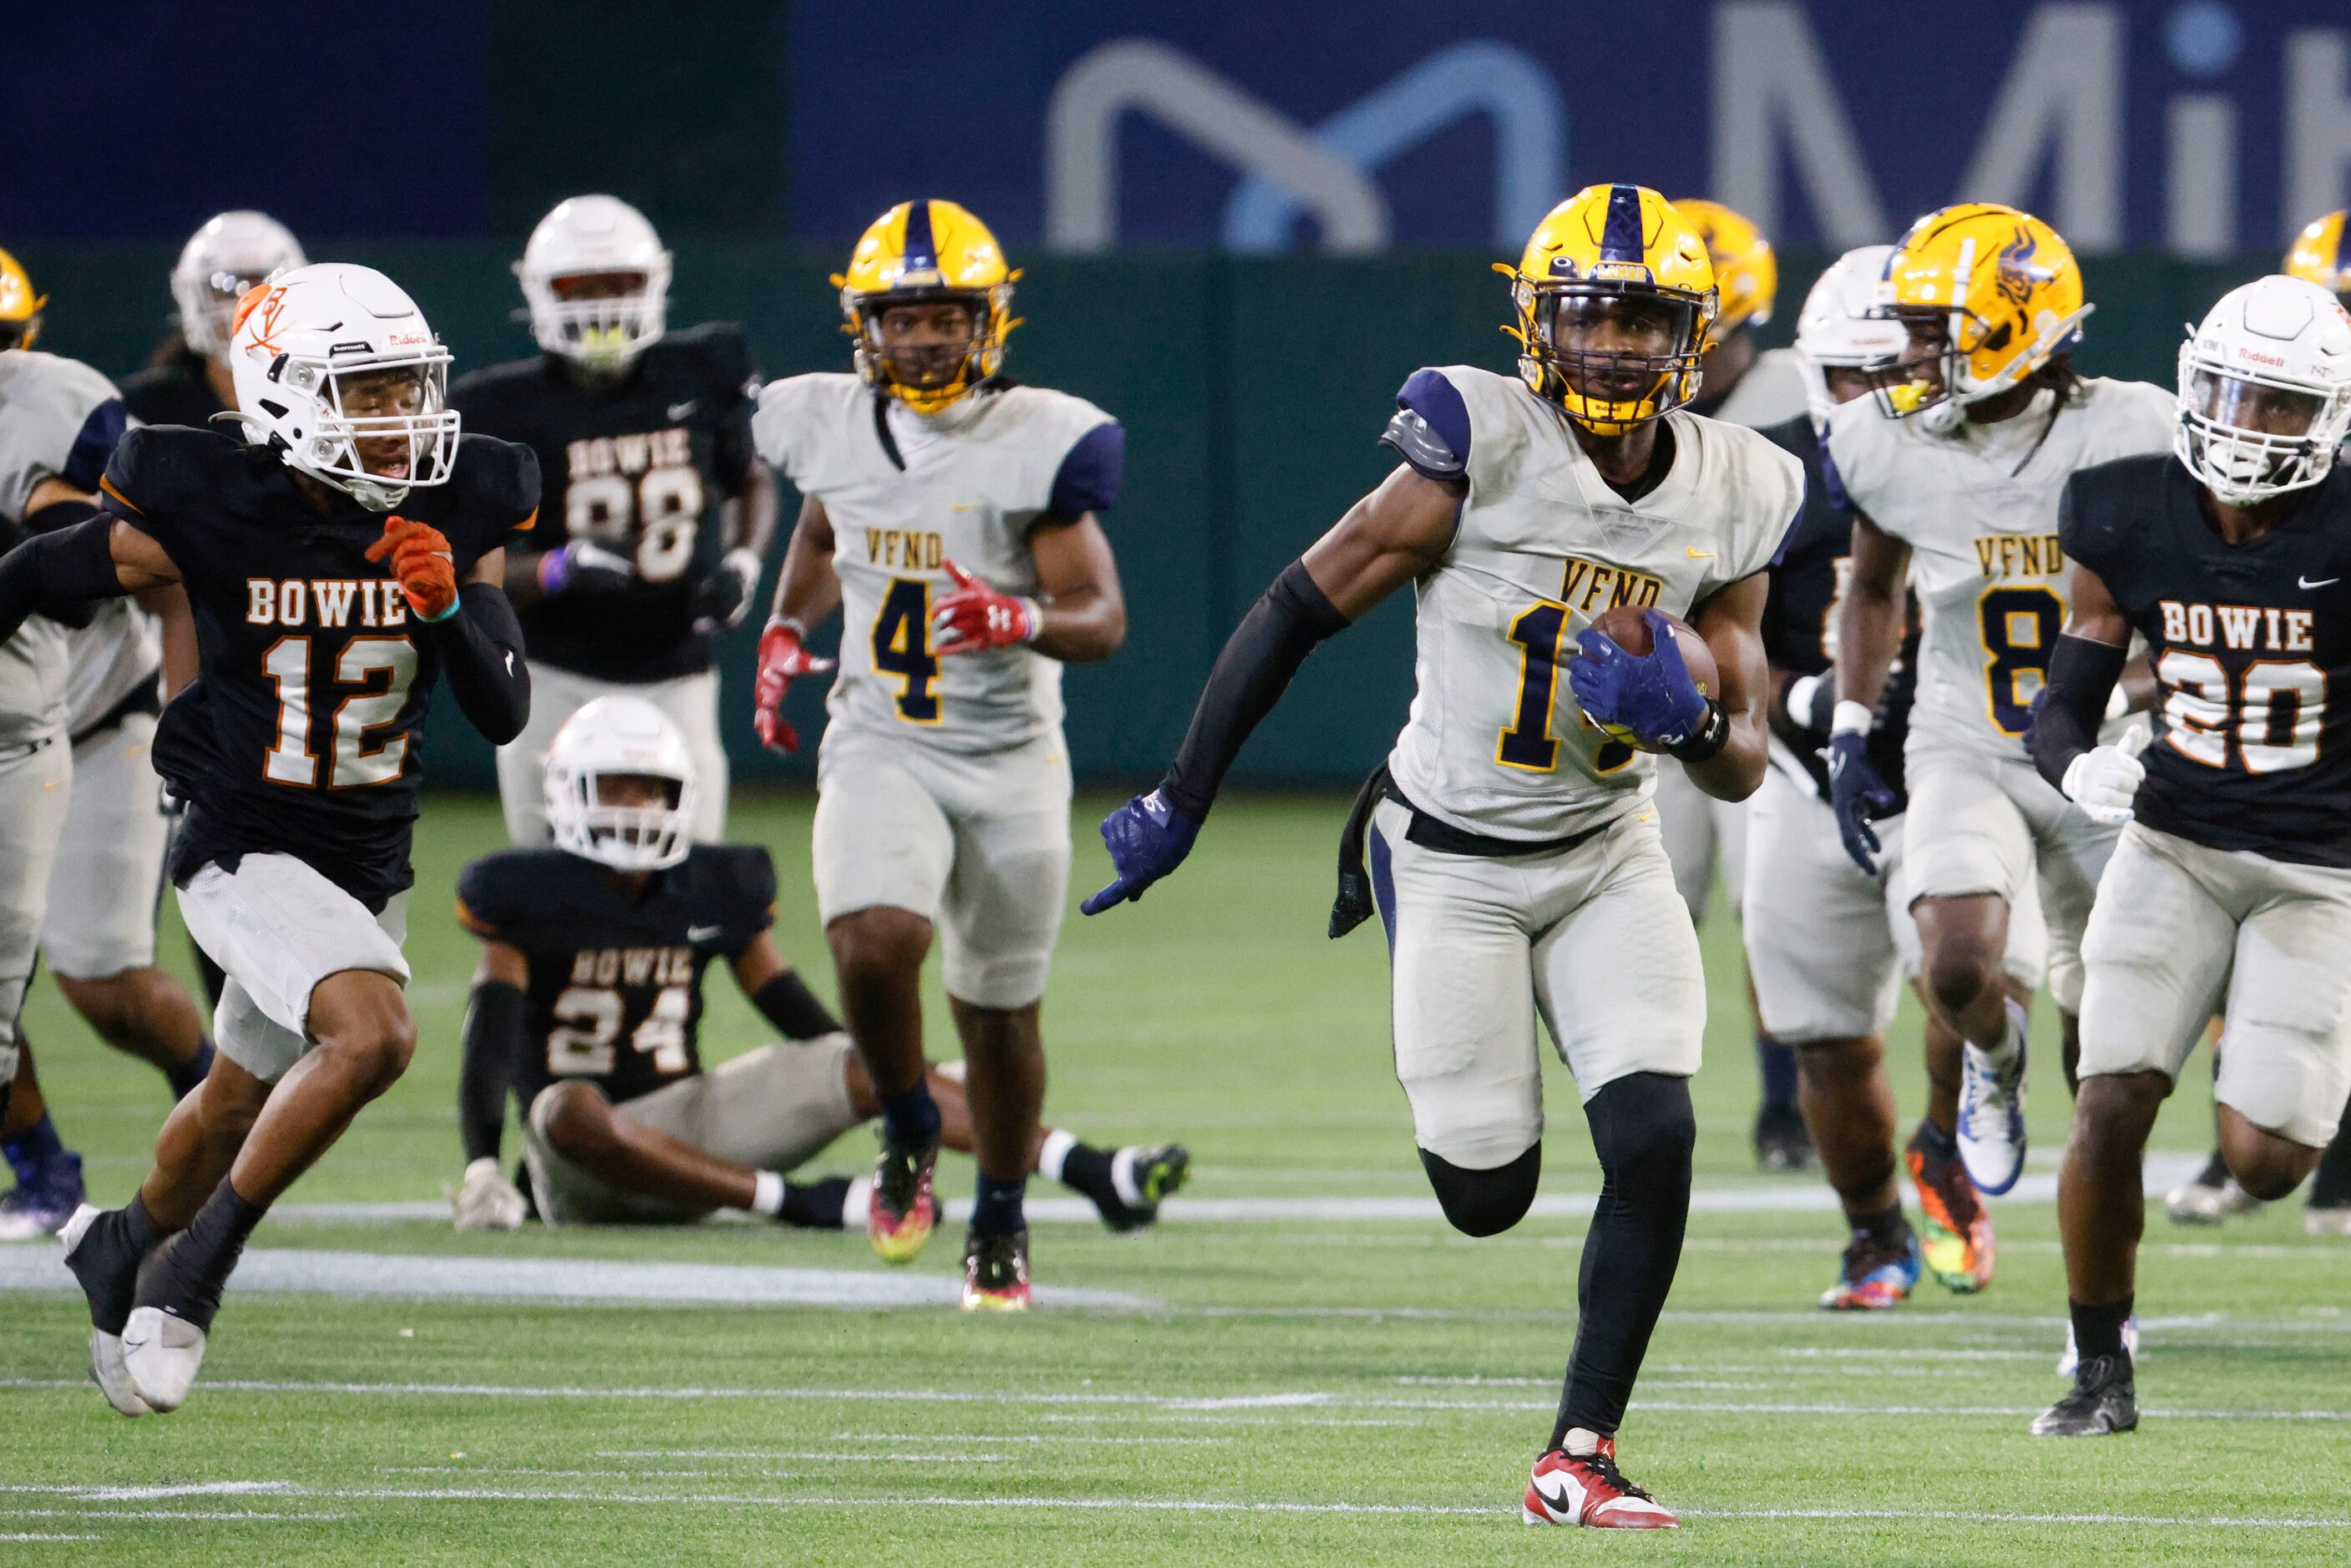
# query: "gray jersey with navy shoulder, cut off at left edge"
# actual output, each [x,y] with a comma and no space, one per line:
[58,422]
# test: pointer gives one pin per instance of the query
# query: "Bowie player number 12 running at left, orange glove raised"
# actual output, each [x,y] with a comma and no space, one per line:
[340,558]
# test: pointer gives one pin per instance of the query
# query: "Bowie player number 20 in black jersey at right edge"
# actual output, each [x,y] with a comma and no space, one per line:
[2232,885]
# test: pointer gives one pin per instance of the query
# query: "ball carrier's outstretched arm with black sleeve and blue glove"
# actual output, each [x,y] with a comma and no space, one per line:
[1388,540]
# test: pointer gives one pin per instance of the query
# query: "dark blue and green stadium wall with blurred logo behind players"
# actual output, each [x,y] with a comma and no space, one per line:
[1247,333]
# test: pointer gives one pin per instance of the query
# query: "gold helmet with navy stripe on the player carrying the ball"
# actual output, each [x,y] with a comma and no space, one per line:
[1614,302]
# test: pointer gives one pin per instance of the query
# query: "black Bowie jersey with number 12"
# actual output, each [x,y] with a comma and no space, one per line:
[302,728]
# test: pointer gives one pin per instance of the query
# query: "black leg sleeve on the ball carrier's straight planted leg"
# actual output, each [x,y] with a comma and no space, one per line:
[1645,1132]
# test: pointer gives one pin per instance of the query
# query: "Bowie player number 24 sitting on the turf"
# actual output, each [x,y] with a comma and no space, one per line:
[589,1005]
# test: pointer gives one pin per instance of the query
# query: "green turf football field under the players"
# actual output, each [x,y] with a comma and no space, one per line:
[1261,1391]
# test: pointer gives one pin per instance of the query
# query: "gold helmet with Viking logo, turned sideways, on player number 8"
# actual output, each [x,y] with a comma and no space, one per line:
[1988,295]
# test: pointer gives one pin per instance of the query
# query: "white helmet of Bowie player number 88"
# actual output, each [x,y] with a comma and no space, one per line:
[582,239]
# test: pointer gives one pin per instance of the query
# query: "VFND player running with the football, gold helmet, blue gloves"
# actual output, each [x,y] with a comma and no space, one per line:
[1515,857]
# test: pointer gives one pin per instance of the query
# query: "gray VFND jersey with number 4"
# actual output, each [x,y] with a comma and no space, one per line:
[967,492]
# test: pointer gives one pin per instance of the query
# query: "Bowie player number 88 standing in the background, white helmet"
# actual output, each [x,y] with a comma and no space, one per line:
[657,514]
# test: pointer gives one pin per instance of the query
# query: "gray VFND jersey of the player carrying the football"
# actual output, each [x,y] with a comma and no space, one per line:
[1543,547]
